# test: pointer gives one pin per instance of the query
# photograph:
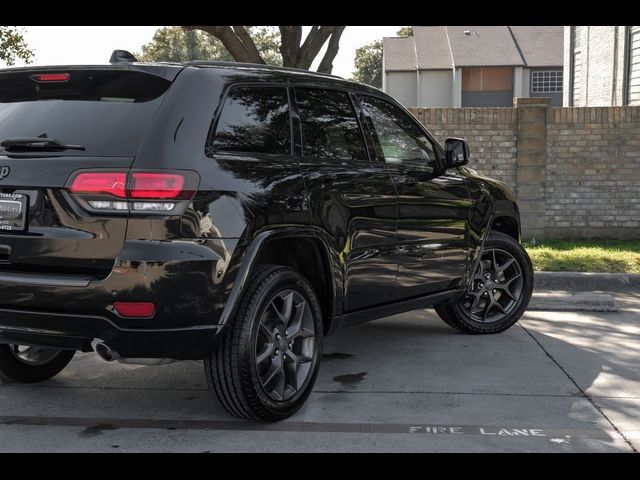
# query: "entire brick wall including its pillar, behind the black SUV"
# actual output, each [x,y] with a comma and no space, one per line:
[575,171]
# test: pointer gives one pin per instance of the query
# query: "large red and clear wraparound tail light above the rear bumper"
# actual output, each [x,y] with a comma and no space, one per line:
[133,192]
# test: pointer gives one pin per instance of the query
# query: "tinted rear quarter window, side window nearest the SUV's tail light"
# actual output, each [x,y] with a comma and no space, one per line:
[254,119]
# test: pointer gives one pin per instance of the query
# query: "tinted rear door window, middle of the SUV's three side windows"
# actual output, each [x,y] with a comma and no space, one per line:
[329,125]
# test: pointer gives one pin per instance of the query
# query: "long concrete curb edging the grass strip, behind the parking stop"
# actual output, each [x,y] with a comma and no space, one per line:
[589,282]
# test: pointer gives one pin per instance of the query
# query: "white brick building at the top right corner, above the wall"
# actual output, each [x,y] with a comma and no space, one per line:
[602,65]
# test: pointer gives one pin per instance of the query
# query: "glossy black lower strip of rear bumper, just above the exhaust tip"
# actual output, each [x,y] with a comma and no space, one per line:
[76,332]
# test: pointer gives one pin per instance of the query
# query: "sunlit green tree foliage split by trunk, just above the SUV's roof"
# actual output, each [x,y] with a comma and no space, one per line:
[175,44]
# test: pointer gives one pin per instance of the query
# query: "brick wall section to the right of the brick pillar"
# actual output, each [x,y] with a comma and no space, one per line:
[593,172]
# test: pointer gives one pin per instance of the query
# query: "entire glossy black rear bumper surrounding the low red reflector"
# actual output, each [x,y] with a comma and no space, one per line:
[183,279]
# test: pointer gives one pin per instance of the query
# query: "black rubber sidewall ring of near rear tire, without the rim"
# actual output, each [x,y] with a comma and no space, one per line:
[285,280]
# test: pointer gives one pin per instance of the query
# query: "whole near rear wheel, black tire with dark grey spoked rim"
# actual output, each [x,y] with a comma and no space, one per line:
[265,365]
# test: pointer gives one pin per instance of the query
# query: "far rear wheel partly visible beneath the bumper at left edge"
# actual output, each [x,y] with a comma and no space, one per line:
[31,364]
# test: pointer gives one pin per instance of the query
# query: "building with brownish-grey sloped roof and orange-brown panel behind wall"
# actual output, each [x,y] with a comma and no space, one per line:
[474,66]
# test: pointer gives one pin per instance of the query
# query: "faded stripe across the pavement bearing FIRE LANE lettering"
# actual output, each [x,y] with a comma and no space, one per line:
[94,426]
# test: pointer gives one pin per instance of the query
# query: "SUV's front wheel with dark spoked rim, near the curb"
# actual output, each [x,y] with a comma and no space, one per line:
[500,290]
